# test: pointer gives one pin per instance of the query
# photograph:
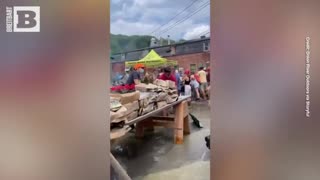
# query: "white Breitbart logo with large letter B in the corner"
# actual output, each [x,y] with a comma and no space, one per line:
[23,19]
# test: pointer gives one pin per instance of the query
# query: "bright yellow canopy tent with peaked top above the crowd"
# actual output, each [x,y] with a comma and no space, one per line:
[152,59]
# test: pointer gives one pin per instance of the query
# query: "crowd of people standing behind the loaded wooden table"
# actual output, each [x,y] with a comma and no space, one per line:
[195,84]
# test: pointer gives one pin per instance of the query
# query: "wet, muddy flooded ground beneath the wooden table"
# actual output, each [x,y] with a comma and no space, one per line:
[156,155]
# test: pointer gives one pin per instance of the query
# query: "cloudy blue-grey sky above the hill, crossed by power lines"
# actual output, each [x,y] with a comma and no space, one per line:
[142,17]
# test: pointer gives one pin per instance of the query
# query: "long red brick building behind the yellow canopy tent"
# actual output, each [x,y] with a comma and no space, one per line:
[189,55]
